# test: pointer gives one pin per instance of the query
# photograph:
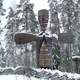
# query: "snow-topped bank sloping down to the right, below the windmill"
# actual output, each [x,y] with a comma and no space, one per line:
[55,74]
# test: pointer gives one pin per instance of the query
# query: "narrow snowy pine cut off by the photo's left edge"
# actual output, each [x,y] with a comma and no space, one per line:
[2,52]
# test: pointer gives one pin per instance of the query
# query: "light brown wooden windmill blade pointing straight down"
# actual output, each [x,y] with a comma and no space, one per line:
[44,57]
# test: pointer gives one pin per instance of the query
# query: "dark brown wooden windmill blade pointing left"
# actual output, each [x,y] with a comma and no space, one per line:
[22,38]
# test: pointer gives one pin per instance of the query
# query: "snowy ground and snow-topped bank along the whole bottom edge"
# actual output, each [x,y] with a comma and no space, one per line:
[23,73]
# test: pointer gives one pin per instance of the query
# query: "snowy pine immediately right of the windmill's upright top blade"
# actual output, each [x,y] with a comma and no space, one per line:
[54,19]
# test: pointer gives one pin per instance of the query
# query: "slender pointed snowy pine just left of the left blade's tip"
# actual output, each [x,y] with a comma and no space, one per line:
[10,46]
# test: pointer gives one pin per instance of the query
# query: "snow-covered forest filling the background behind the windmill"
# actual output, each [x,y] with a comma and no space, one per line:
[63,24]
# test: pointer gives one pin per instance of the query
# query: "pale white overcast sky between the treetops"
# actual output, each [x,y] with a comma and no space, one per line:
[38,4]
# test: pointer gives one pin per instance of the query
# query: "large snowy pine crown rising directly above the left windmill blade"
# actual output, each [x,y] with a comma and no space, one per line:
[29,24]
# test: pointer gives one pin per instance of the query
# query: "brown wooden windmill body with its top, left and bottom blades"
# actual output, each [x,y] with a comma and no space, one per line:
[43,39]
